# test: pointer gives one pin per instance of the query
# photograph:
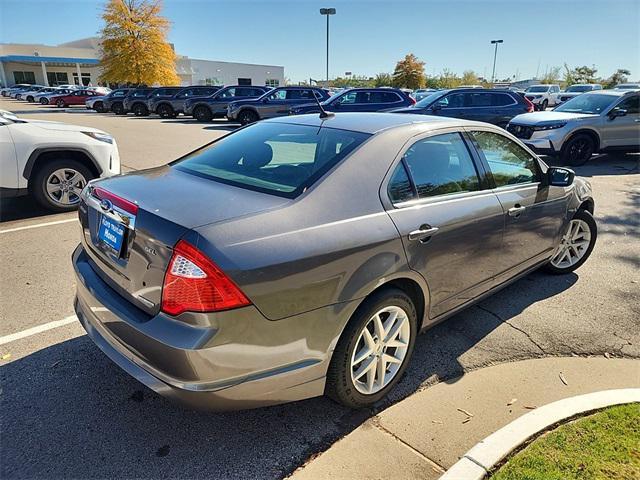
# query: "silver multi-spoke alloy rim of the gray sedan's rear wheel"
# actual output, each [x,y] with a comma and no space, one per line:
[380,350]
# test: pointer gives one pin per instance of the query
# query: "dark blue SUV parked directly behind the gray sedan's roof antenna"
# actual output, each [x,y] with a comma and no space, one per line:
[359,100]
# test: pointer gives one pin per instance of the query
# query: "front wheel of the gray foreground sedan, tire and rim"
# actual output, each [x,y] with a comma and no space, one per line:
[572,251]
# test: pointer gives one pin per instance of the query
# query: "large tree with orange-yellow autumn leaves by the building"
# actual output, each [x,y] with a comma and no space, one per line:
[134,44]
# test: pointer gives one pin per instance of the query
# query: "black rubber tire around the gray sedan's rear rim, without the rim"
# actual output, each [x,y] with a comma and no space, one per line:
[339,386]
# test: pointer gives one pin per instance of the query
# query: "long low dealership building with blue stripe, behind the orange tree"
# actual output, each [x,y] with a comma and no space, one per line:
[78,63]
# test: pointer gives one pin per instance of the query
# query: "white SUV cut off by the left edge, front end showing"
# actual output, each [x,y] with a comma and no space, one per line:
[52,161]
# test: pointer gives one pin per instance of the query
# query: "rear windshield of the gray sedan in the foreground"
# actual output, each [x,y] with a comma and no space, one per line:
[278,158]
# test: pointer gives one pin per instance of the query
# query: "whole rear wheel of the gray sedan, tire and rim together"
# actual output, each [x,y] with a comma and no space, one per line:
[342,385]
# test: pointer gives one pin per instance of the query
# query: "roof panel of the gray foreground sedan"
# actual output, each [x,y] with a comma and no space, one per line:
[372,122]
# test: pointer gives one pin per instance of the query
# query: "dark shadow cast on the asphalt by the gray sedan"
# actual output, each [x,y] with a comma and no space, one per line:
[68,411]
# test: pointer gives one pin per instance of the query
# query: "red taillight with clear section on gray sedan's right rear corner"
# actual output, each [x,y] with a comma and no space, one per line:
[193,283]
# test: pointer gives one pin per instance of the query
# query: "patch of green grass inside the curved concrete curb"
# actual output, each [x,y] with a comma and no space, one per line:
[602,446]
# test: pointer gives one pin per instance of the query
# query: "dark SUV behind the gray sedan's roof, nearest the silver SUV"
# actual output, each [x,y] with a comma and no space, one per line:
[483,105]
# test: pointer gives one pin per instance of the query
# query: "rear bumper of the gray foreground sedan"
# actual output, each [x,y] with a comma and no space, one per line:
[240,360]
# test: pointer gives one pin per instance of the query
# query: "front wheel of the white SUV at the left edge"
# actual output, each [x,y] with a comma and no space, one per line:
[54,199]
